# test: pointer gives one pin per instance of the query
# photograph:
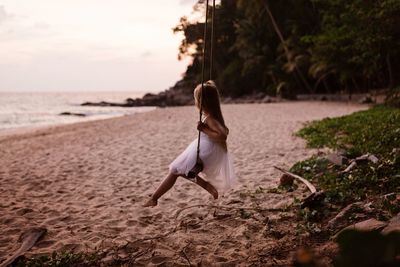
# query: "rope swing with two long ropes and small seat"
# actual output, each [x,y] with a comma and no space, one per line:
[199,164]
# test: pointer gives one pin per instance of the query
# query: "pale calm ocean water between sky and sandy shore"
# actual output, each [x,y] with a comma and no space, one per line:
[43,109]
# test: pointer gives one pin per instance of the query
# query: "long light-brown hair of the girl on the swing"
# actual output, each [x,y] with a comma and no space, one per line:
[210,100]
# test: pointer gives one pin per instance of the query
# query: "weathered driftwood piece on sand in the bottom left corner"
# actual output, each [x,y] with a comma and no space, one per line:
[28,239]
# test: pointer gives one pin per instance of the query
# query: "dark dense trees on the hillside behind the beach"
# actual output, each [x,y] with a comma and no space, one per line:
[327,46]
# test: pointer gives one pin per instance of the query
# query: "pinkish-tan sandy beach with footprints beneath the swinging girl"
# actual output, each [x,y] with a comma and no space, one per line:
[86,182]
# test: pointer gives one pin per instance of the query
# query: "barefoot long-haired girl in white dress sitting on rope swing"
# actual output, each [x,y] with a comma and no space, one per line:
[217,165]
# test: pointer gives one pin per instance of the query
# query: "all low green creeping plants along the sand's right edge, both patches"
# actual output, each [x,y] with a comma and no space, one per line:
[375,131]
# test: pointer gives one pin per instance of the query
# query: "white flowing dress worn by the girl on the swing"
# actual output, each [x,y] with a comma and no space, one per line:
[217,163]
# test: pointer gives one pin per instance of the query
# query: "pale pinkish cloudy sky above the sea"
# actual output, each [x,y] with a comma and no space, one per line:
[90,45]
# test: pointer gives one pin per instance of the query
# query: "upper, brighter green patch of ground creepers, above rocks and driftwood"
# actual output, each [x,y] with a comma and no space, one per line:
[375,131]
